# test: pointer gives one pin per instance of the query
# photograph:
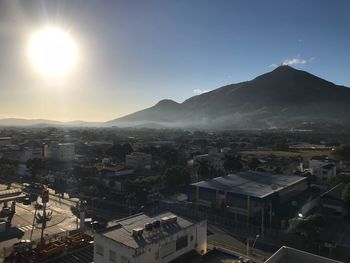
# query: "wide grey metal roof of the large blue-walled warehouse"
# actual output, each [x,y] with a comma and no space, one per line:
[255,184]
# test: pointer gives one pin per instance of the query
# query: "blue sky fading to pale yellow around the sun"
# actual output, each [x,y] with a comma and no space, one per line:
[131,54]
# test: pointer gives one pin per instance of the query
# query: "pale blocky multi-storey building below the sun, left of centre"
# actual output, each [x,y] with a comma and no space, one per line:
[60,152]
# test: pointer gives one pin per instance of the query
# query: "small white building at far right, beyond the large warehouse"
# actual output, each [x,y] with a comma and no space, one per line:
[323,168]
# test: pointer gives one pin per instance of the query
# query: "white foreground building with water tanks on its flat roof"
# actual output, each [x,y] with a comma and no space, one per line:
[145,239]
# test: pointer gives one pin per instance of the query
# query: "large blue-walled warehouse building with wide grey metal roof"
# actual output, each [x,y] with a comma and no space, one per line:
[247,194]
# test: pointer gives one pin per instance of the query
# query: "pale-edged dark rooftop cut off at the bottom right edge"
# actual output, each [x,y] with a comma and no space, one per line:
[292,255]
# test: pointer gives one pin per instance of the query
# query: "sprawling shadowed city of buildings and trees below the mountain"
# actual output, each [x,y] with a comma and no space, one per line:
[173,195]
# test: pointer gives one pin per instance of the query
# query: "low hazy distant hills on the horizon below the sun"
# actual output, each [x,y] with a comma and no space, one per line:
[44,123]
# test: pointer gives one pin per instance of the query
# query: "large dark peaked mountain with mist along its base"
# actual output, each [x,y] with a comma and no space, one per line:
[283,98]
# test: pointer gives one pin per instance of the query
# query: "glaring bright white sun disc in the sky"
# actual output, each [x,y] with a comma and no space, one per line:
[52,51]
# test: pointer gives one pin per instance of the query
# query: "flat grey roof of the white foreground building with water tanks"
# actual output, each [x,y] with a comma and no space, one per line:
[122,231]
